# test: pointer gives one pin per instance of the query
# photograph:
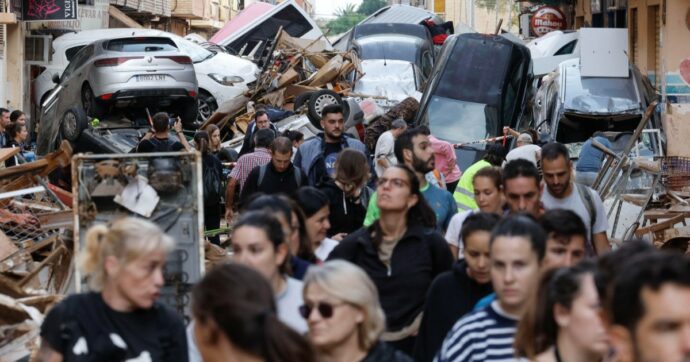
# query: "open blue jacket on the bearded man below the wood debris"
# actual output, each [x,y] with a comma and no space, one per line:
[310,156]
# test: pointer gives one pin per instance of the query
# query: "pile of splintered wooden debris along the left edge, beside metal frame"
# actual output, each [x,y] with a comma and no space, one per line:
[36,248]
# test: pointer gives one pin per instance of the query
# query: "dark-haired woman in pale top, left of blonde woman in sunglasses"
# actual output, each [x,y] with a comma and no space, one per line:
[258,242]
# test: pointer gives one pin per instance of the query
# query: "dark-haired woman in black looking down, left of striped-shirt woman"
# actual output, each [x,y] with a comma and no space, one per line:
[454,293]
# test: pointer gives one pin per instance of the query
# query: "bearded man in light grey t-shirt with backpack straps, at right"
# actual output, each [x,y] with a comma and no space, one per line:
[562,193]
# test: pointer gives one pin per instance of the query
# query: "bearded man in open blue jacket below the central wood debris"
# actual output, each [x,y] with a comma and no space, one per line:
[316,157]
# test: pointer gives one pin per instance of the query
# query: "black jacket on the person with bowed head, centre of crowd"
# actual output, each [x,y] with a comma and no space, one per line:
[346,214]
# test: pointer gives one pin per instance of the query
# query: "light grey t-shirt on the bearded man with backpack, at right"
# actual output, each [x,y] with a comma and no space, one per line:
[576,204]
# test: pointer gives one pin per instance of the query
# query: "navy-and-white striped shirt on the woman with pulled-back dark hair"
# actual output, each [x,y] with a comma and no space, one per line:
[485,335]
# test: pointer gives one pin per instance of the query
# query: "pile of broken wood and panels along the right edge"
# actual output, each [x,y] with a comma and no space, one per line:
[647,198]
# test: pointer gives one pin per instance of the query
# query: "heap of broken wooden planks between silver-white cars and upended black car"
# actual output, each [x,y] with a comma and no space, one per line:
[298,76]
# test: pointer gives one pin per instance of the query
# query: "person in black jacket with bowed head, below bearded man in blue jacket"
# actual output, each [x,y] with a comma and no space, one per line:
[348,193]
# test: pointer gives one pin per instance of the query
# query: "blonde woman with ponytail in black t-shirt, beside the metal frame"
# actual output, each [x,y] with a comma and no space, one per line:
[119,319]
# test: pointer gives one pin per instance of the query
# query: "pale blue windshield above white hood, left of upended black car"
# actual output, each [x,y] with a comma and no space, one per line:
[389,47]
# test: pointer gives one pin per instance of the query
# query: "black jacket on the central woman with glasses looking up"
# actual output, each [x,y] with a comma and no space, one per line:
[420,255]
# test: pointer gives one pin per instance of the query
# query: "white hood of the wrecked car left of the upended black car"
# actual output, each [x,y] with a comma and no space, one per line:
[393,79]
